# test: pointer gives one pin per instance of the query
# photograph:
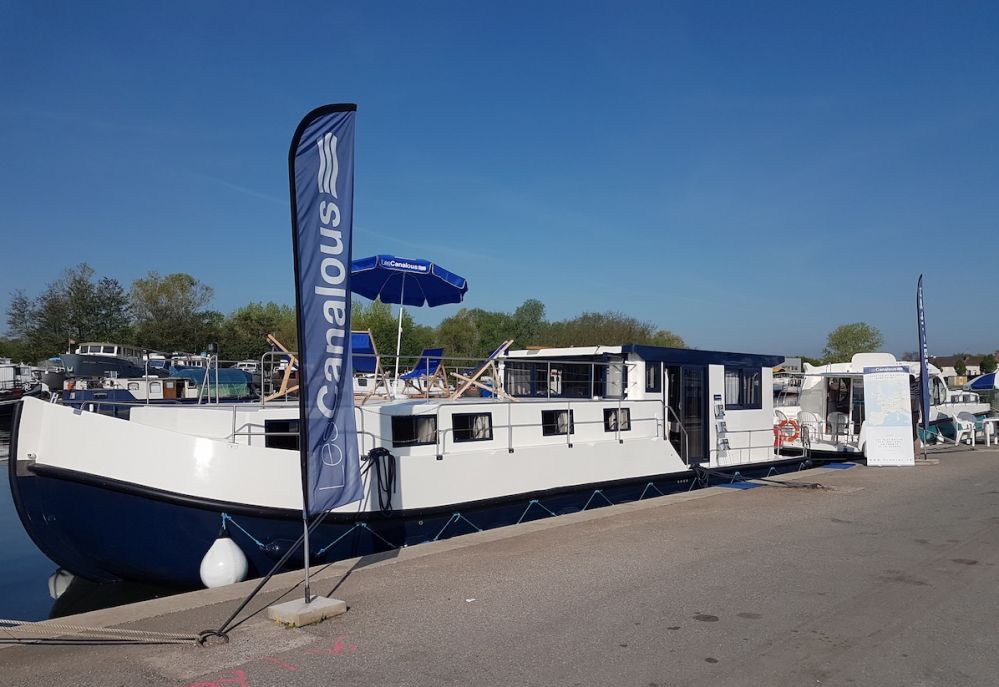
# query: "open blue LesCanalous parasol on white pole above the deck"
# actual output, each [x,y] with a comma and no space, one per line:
[405,281]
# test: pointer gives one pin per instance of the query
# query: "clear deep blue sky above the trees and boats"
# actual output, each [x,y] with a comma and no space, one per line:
[749,175]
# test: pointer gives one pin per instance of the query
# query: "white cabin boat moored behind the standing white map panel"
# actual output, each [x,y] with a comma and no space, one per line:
[829,415]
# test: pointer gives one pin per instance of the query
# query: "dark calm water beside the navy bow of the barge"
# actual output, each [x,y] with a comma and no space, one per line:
[25,571]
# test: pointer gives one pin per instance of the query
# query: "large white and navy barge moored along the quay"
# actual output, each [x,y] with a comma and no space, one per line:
[565,429]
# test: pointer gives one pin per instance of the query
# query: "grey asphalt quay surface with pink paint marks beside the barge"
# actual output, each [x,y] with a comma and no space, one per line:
[887,576]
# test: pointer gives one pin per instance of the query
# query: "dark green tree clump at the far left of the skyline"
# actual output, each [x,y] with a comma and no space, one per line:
[76,306]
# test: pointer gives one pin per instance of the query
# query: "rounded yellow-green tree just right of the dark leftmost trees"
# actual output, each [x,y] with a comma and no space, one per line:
[171,315]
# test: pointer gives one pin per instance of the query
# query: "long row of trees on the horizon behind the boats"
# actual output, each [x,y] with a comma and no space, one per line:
[172,313]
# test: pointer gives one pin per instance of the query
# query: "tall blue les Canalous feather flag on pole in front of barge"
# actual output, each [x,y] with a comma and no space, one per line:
[321,177]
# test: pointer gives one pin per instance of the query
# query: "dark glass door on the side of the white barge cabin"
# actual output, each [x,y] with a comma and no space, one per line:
[686,395]
